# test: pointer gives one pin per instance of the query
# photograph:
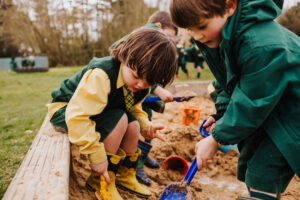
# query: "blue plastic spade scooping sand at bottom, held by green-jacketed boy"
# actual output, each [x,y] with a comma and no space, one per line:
[181,191]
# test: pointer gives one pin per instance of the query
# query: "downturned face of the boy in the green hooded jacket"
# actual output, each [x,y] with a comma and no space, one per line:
[209,32]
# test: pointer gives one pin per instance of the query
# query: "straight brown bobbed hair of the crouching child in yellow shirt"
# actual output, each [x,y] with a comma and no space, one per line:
[150,53]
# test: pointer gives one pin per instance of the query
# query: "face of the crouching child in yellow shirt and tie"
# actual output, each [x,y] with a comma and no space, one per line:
[133,82]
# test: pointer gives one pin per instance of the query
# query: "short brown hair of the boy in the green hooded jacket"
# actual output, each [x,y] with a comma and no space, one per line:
[189,13]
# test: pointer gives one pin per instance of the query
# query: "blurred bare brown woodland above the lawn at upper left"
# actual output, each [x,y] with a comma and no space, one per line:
[69,31]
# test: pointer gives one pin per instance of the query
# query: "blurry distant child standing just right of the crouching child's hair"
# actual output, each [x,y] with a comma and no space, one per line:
[181,58]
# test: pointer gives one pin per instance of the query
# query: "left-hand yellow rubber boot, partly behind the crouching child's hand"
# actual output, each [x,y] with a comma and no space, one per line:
[114,162]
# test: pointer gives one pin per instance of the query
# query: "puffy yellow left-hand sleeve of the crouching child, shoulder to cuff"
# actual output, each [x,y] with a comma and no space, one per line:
[90,98]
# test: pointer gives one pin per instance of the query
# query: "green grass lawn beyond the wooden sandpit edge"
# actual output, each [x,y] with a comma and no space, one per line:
[22,110]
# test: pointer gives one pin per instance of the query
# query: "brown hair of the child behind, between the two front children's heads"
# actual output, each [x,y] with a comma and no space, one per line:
[163,18]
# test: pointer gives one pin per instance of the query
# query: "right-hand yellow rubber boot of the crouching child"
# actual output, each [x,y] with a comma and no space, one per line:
[126,177]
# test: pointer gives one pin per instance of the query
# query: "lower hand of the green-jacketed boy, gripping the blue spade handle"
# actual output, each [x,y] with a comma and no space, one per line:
[205,150]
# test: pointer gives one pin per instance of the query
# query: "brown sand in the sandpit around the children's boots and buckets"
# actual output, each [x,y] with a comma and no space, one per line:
[217,181]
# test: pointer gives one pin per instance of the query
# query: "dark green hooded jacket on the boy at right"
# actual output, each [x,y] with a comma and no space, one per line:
[257,65]
